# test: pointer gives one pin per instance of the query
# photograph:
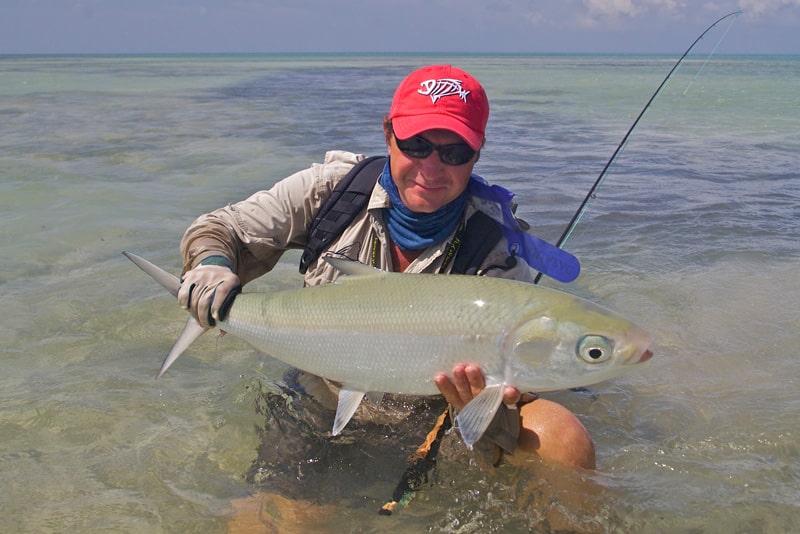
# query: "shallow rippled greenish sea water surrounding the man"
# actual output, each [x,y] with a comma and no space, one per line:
[694,233]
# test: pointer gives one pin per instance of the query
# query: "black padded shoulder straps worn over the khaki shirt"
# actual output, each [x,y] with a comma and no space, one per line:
[471,245]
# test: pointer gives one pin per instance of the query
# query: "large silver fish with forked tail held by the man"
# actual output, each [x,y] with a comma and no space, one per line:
[376,332]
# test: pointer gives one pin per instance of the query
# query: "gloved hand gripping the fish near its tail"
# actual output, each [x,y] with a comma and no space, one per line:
[207,291]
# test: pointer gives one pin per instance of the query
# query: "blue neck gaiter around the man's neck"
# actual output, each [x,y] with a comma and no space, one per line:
[417,231]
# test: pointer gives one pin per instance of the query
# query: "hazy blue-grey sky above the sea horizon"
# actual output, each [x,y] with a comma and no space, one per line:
[534,26]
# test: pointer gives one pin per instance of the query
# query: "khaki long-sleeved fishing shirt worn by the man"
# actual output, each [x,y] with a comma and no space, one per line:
[255,232]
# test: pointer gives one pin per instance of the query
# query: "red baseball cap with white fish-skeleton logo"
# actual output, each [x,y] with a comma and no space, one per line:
[440,97]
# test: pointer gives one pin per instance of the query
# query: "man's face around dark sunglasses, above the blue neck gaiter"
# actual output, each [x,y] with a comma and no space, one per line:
[427,184]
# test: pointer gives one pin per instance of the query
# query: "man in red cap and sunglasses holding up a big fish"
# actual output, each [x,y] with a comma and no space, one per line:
[434,132]
